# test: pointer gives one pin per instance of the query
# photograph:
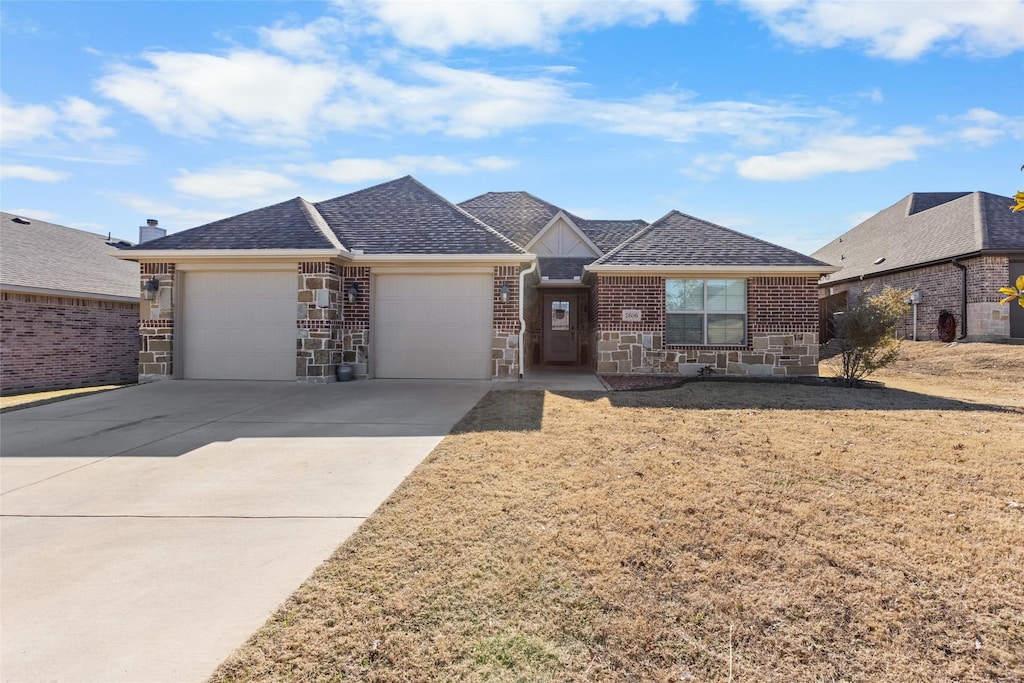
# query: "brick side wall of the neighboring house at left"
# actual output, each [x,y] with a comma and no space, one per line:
[52,343]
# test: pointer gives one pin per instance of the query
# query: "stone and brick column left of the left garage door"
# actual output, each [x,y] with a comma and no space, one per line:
[156,325]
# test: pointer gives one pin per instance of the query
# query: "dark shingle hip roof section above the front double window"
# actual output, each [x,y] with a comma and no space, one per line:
[678,240]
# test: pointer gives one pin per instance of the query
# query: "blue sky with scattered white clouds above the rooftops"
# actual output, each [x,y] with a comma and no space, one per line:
[791,121]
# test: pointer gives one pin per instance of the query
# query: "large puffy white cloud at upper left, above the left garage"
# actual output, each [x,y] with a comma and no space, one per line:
[262,98]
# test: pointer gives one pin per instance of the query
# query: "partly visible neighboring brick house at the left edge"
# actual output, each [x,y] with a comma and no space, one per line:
[69,312]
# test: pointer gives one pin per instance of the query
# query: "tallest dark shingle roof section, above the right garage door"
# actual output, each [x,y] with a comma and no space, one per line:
[406,218]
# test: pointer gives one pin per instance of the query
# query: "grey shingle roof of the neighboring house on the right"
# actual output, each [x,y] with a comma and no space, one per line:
[925,228]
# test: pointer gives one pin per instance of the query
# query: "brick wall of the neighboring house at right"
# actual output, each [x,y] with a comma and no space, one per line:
[941,286]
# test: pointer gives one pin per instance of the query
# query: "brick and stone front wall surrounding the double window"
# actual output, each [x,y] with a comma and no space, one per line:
[782,330]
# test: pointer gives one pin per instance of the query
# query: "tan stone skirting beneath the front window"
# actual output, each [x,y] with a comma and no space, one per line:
[778,356]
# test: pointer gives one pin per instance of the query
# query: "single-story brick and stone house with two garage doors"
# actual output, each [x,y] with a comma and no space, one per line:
[401,283]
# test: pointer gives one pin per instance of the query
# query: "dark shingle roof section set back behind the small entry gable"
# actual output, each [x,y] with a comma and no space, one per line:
[520,217]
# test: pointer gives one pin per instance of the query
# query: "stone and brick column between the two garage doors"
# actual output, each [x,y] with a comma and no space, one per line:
[318,330]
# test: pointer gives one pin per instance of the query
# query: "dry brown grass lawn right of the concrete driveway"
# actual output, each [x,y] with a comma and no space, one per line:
[711,533]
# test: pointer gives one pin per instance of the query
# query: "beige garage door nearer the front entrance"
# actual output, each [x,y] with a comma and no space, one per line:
[437,327]
